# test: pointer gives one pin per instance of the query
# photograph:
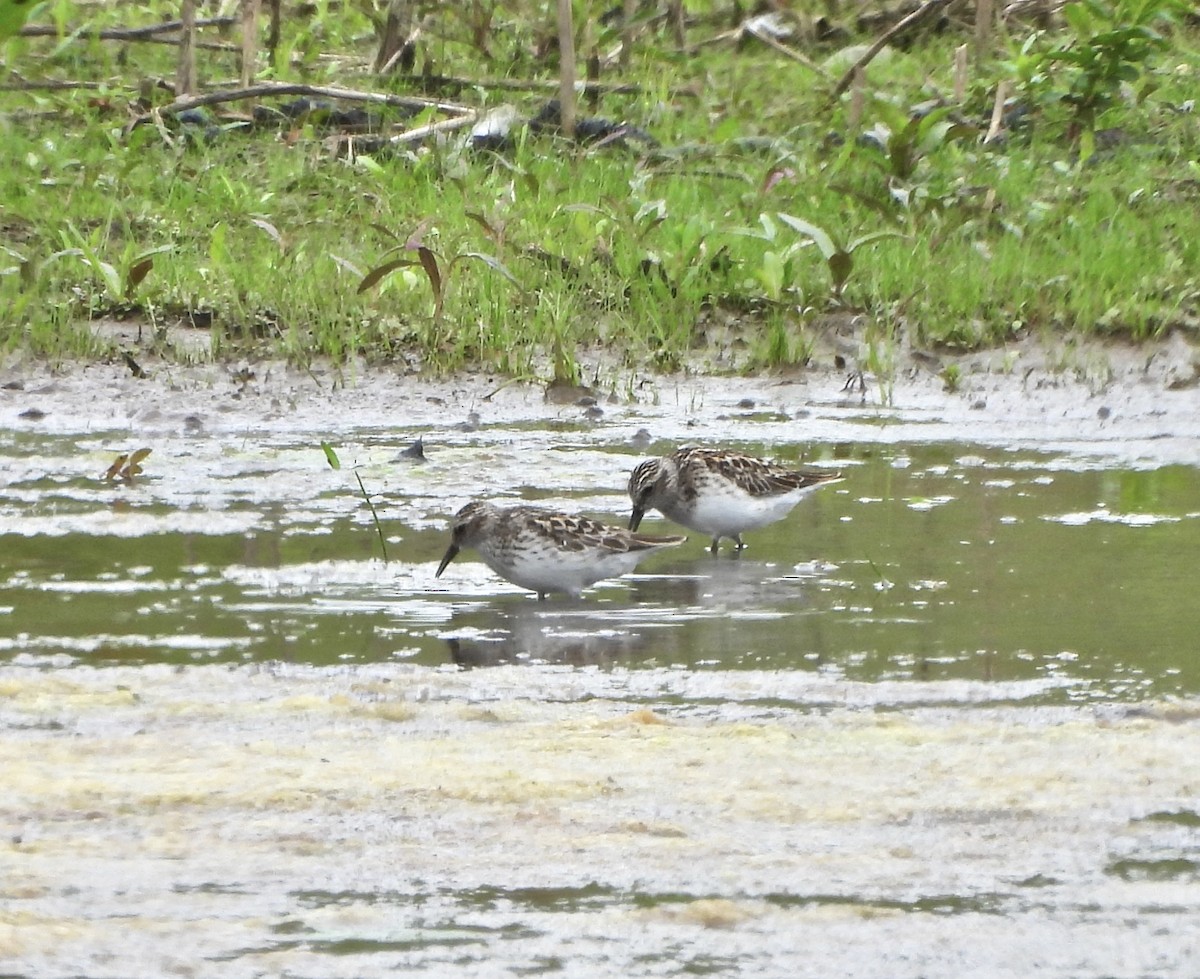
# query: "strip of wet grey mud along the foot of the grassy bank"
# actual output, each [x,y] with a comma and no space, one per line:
[1111,398]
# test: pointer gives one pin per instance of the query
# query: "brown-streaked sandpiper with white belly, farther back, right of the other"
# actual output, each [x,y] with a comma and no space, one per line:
[719,492]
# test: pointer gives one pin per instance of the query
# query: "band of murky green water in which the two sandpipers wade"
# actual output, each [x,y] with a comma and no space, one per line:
[929,562]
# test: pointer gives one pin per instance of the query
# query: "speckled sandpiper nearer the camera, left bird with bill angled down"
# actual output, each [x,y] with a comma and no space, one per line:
[548,551]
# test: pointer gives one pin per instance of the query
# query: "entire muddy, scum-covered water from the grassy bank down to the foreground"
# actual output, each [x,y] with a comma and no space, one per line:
[944,720]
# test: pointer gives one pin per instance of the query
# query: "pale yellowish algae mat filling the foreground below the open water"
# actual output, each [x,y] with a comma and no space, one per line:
[374,821]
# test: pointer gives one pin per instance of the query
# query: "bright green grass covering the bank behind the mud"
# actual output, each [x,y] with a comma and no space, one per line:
[554,253]
